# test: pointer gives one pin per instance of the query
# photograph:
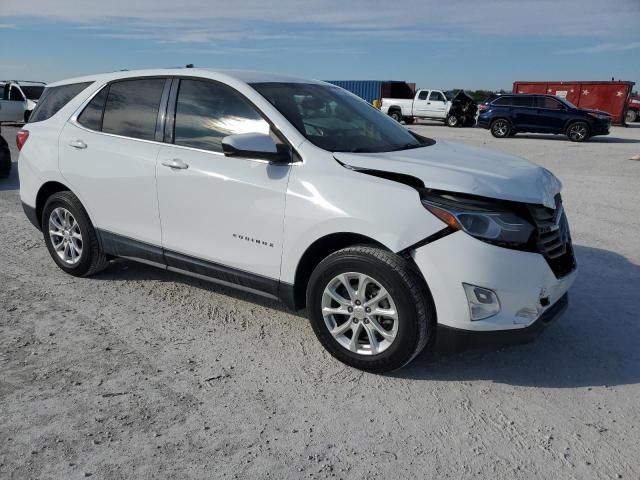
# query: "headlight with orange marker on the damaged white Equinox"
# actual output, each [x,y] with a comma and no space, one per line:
[480,220]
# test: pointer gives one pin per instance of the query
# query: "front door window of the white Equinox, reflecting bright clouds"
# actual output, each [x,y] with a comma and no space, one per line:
[206,112]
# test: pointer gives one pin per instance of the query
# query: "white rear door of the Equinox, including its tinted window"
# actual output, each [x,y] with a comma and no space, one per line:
[108,155]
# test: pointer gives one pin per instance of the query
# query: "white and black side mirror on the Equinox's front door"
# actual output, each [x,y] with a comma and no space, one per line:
[256,145]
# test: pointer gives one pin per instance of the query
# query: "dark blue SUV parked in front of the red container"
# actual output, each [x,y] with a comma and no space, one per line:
[507,115]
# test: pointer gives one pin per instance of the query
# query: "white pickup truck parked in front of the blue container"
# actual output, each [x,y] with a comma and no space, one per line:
[432,104]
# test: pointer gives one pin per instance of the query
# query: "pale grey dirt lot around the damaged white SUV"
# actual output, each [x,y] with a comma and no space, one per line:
[139,373]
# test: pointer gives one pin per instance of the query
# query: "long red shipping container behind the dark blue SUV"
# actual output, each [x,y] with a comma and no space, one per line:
[611,97]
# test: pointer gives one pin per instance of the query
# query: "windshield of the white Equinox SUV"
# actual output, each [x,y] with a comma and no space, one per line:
[335,120]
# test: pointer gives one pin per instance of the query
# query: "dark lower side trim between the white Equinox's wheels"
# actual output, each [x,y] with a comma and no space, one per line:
[120,246]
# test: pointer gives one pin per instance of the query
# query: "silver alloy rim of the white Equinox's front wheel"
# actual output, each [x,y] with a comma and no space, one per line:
[359,313]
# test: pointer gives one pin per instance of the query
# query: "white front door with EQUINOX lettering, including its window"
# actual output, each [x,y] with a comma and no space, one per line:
[221,216]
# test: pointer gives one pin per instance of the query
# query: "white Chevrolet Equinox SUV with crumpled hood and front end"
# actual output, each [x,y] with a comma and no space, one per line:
[297,190]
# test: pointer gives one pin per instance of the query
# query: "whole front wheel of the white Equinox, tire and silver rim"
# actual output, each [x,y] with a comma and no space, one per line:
[370,309]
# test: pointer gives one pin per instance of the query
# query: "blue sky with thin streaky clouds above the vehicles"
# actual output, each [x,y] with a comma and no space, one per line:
[481,44]
